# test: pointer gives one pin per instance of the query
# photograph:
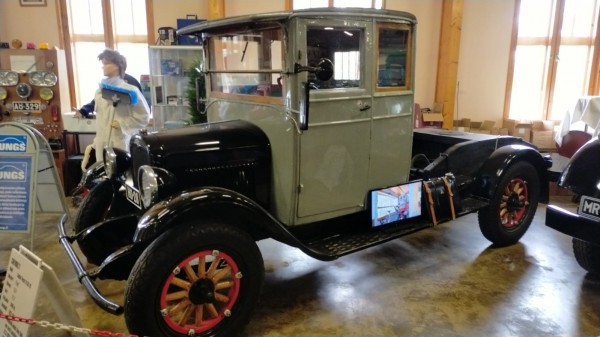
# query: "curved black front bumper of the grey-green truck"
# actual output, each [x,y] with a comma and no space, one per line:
[82,275]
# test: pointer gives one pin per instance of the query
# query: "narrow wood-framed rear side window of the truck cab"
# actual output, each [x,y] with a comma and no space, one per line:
[393,57]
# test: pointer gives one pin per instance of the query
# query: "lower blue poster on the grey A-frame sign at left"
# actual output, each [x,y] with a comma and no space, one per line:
[15,187]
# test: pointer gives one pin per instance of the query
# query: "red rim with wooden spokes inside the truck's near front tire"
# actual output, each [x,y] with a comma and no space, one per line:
[200,292]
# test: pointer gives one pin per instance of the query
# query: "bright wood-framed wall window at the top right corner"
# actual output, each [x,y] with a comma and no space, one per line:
[554,60]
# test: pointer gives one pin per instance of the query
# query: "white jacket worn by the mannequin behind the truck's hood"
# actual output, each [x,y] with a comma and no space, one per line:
[131,119]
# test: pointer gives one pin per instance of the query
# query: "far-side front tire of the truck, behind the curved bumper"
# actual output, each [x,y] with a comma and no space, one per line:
[96,207]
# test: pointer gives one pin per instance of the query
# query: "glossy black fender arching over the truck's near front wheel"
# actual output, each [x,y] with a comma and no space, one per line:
[211,203]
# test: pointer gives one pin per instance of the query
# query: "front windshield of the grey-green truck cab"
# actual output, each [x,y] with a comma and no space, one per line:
[248,63]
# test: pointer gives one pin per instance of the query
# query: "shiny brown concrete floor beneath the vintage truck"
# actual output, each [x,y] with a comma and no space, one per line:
[445,281]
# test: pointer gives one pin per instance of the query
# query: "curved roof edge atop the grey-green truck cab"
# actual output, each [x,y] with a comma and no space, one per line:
[382,14]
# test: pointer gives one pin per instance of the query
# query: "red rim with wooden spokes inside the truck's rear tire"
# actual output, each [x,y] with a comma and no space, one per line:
[514,203]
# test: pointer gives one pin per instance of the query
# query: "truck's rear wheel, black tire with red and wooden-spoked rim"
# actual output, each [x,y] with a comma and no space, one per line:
[510,212]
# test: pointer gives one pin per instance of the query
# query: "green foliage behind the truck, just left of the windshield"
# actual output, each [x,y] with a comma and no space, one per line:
[197,105]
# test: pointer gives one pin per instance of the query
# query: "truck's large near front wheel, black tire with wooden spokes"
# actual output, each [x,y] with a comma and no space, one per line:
[156,287]
